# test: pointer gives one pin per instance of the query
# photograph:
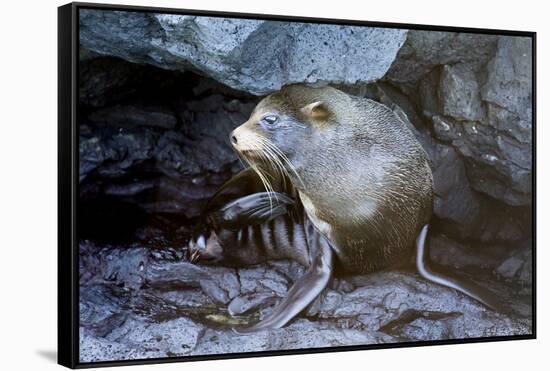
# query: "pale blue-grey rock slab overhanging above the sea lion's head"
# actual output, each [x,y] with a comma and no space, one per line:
[250,55]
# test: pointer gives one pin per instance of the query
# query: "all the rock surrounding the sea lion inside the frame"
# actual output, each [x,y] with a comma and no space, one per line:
[159,95]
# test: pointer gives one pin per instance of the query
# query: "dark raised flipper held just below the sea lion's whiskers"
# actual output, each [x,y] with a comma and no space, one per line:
[256,208]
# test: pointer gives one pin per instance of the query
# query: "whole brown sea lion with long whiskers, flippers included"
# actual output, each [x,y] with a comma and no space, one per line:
[345,170]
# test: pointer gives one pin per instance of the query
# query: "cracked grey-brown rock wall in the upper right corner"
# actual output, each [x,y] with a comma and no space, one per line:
[476,91]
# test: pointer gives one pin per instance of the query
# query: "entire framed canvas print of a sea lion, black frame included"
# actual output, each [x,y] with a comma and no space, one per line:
[236,185]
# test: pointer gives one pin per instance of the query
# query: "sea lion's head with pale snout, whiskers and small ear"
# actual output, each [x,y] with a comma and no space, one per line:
[286,129]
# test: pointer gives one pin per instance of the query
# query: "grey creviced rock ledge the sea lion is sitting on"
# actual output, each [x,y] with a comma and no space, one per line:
[142,303]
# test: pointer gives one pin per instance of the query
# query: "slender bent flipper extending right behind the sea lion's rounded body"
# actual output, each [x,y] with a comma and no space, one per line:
[434,274]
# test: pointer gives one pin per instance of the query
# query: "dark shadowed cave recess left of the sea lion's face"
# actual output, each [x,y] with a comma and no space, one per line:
[153,147]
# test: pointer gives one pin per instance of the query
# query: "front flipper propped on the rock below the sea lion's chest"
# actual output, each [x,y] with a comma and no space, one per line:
[302,293]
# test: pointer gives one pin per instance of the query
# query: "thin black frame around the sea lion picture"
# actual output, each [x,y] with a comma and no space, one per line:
[68,159]
